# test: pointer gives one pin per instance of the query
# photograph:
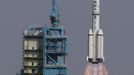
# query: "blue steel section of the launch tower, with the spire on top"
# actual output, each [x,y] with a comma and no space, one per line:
[54,48]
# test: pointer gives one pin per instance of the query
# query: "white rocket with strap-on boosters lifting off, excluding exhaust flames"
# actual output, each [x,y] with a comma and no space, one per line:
[95,36]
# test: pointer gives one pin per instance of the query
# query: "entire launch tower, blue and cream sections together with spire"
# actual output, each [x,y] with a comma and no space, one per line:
[44,48]
